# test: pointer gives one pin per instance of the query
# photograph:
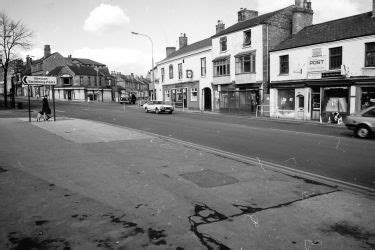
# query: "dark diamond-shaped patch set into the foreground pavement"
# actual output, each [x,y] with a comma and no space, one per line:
[209,178]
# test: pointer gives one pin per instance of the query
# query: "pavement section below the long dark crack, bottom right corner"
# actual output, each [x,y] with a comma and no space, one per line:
[333,221]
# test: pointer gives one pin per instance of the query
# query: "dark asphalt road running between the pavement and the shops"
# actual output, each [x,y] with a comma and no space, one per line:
[329,151]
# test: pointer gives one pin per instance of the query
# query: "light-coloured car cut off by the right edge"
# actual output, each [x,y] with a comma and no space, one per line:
[363,122]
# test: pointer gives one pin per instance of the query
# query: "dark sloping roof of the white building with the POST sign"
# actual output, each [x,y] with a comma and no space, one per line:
[339,29]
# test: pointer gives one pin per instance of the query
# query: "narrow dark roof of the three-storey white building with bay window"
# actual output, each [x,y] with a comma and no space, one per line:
[262,19]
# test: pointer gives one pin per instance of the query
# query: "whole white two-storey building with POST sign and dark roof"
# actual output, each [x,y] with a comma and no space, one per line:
[325,68]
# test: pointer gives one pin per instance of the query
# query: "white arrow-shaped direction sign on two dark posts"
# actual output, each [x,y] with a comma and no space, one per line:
[41,80]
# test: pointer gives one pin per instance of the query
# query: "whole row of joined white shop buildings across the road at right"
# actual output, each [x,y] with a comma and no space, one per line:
[277,64]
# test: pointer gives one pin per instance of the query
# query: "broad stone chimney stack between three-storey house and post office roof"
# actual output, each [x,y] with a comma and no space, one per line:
[302,15]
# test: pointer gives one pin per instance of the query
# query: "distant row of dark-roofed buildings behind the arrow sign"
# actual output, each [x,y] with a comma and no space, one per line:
[78,79]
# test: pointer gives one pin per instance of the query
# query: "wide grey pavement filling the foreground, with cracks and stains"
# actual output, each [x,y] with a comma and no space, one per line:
[80,184]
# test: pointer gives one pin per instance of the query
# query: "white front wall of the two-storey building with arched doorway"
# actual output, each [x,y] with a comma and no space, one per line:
[191,62]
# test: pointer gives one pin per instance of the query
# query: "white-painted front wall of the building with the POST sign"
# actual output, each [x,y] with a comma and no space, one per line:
[309,66]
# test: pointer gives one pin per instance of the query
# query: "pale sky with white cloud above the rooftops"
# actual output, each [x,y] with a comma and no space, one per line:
[101,29]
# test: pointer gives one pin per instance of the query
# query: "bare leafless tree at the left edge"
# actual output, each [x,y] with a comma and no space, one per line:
[13,35]
